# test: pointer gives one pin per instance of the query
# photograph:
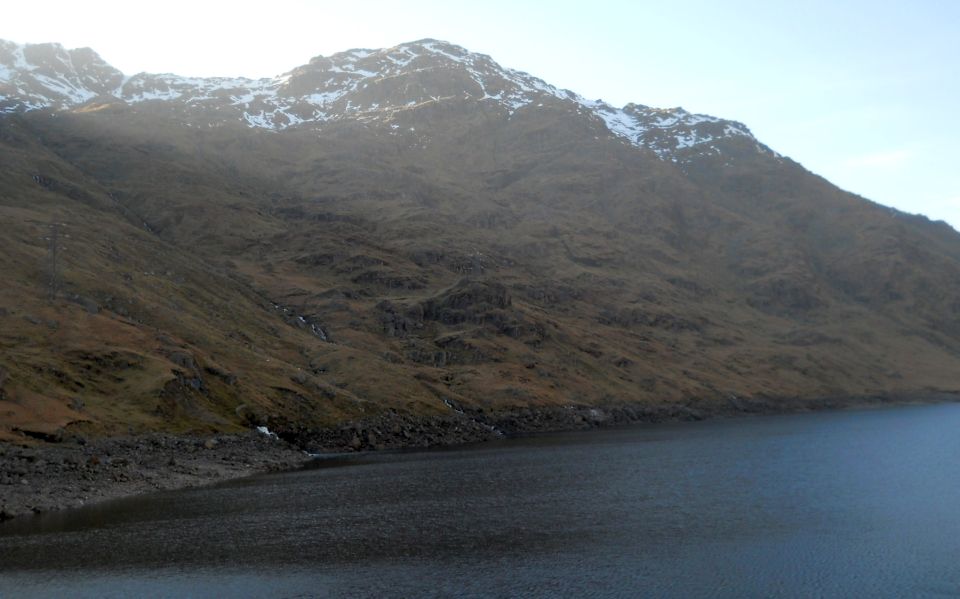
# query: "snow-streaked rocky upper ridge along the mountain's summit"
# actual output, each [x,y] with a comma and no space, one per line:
[372,86]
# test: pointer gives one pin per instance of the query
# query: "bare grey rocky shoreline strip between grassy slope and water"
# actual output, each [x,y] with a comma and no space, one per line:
[55,476]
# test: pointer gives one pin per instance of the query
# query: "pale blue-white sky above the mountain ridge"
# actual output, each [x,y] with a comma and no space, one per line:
[863,92]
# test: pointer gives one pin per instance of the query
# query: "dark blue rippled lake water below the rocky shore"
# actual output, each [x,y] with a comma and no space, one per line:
[849,504]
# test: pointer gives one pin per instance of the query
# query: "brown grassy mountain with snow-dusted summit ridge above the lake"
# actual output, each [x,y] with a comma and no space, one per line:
[419,237]
